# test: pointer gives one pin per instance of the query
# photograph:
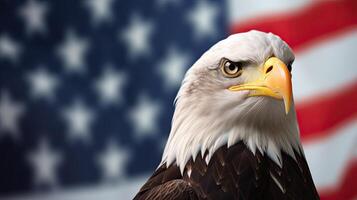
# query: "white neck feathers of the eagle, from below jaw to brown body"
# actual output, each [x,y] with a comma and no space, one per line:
[195,131]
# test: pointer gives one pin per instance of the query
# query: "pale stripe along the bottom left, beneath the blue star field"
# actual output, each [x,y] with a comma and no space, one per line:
[124,190]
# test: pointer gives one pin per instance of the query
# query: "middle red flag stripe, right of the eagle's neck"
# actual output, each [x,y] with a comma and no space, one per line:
[317,116]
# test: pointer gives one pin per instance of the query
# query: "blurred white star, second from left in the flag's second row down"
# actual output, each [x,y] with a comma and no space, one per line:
[72,52]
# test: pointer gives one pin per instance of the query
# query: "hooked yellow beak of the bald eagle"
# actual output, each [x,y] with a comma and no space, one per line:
[274,81]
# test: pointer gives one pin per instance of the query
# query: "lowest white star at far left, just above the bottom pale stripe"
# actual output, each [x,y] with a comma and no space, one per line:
[44,162]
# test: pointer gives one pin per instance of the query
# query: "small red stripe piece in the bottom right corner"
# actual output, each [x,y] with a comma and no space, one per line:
[347,187]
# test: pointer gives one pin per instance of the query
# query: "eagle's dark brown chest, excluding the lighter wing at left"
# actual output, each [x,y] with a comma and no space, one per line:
[237,173]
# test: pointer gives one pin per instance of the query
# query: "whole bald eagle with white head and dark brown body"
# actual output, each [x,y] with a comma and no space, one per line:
[234,132]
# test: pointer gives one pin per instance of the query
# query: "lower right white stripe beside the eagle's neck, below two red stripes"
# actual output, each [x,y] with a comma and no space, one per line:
[328,157]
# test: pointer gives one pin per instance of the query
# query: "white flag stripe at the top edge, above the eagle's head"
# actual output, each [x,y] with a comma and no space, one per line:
[240,10]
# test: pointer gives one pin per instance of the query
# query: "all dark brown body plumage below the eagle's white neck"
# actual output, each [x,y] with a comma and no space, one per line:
[233,173]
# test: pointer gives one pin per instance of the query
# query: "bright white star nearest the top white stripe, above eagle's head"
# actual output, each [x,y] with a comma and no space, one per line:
[203,18]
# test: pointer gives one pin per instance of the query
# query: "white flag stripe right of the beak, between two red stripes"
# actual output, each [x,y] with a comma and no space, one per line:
[325,67]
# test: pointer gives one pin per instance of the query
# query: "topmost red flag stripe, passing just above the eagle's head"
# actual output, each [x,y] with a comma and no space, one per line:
[306,25]
